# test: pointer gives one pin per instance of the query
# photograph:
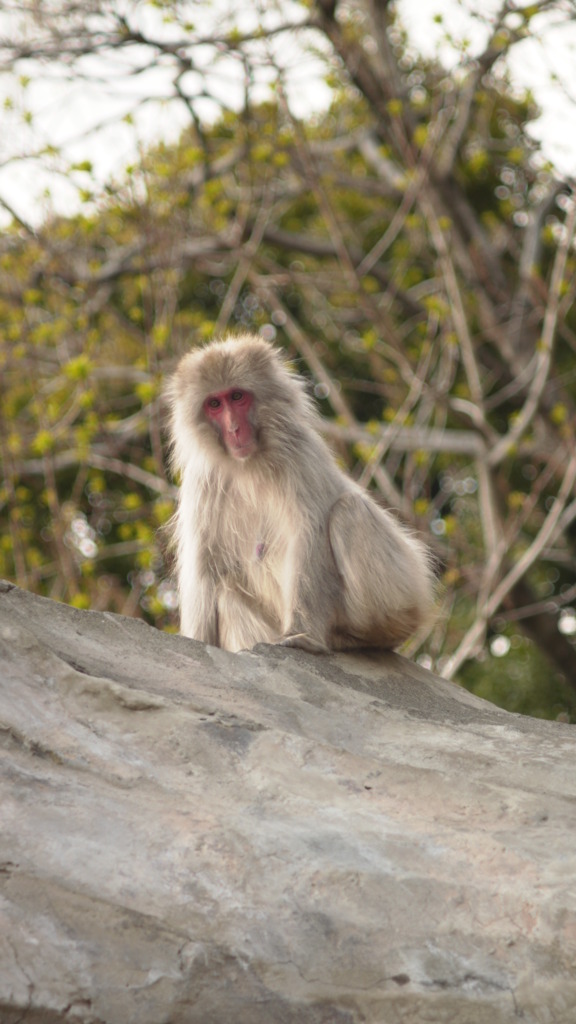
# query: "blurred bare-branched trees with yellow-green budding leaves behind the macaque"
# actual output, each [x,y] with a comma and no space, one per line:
[408,246]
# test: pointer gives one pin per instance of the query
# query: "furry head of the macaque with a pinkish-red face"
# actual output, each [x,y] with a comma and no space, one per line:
[236,401]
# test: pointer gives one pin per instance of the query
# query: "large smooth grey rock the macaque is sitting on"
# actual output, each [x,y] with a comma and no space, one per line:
[191,837]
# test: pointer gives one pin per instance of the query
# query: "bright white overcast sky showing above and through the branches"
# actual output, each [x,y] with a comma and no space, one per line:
[67,112]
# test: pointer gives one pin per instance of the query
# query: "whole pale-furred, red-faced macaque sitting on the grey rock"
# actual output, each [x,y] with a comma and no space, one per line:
[275,544]
